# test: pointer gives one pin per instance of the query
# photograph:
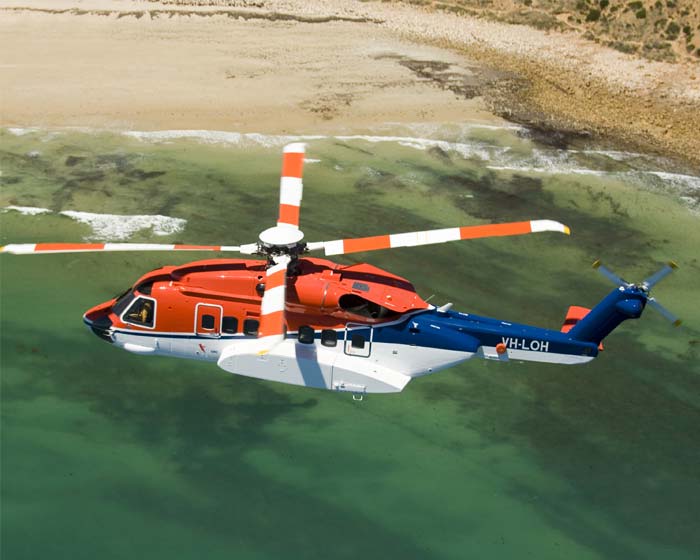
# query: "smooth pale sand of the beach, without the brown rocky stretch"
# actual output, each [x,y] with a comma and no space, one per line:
[217,72]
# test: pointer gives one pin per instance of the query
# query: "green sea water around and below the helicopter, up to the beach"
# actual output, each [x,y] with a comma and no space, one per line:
[109,455]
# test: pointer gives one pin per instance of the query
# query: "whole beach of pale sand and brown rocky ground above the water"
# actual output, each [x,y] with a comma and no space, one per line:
[290,66]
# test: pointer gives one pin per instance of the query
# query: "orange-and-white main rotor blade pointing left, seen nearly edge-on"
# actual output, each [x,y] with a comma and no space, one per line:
[46,248]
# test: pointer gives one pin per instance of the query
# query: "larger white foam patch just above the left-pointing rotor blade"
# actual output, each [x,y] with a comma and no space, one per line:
[119,227]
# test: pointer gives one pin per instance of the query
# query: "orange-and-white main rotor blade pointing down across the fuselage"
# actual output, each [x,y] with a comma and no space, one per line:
[272,320]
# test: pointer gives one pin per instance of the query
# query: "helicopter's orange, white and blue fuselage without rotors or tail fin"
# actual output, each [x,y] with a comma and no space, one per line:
[353,328]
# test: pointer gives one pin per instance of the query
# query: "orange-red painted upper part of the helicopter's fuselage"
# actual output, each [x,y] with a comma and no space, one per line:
[314,291]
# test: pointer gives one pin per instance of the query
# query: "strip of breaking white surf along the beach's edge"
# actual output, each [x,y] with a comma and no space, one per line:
[468,141]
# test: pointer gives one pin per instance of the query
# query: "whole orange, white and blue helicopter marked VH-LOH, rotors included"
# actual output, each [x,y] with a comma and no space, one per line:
[311,322]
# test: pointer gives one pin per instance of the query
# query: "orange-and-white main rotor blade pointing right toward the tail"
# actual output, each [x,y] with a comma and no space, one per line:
[415,238]
